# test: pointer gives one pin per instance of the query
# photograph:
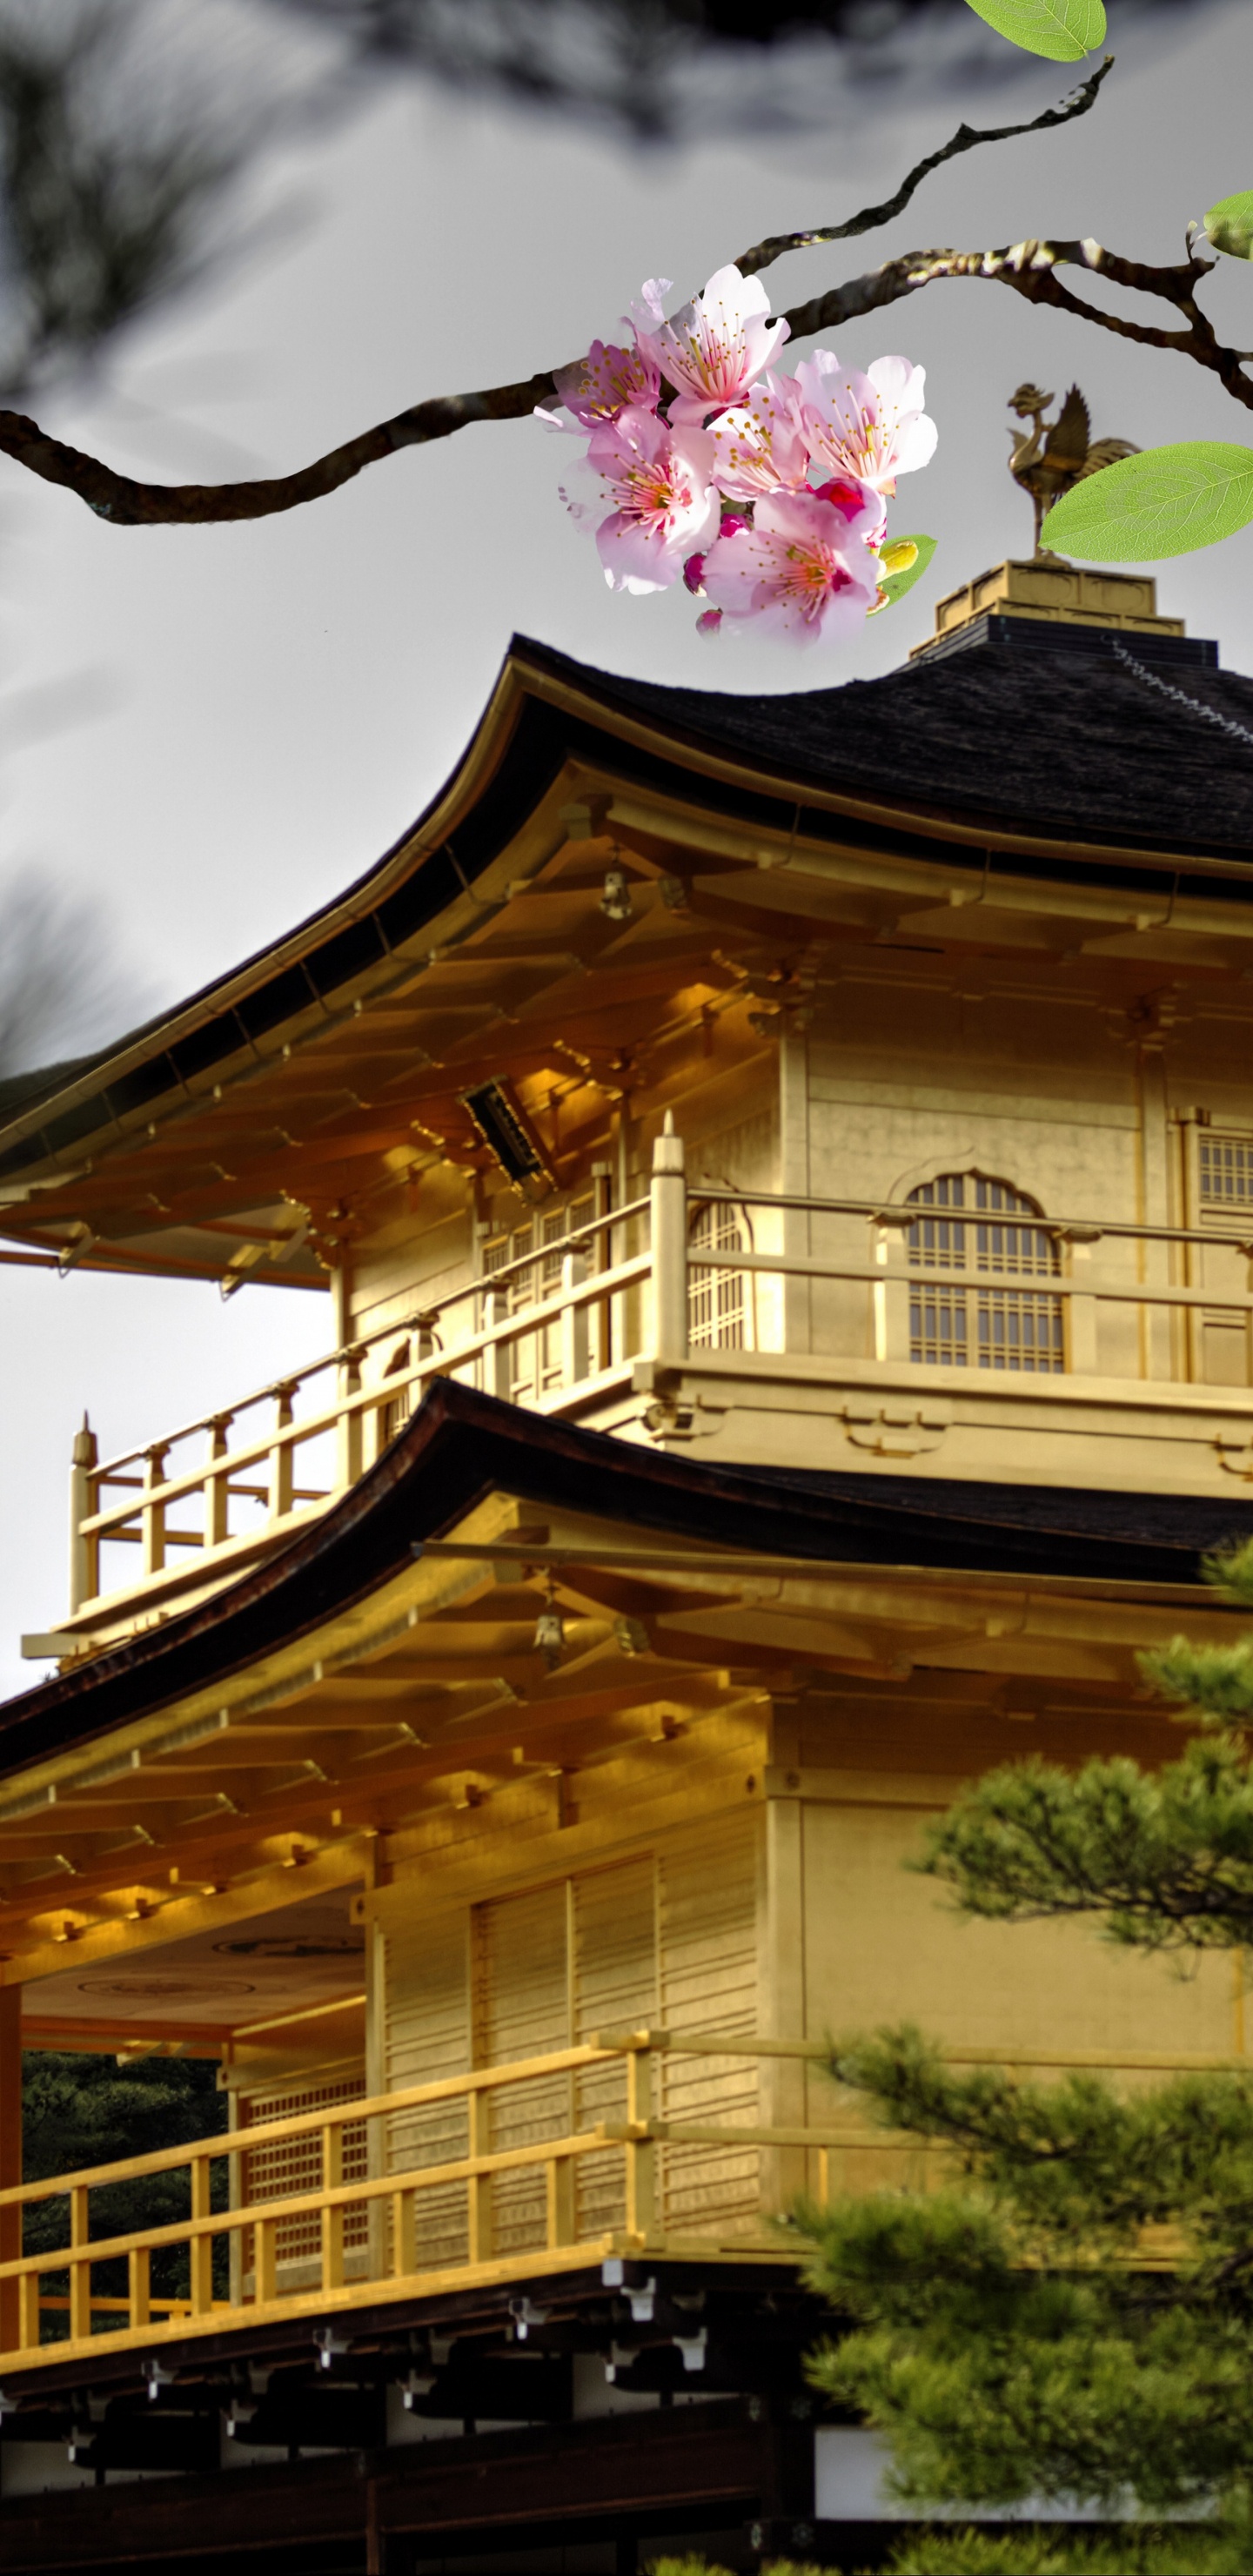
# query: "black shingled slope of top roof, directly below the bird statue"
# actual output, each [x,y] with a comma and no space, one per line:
[1043,741]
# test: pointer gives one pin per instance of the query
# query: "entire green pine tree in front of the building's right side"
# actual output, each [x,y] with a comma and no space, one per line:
[1071,2315]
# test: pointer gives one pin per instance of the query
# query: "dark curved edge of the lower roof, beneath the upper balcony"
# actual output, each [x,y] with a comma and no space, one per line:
[463,1449]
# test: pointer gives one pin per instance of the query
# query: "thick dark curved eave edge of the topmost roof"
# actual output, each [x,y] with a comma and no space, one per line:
[545,715]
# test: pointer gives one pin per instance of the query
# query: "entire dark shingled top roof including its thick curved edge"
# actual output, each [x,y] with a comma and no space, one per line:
[1025,728]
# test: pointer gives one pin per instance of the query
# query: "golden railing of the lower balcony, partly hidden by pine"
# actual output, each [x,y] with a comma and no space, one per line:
[437,2206]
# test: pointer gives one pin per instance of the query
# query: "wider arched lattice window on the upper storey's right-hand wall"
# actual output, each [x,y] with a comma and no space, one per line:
[981,1225]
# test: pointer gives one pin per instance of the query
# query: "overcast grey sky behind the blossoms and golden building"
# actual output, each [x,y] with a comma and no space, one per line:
[267,707]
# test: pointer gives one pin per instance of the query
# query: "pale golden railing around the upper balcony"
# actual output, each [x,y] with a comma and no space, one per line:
[700,1287]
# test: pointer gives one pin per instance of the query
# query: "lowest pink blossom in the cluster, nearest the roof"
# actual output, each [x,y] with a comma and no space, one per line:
[803,571]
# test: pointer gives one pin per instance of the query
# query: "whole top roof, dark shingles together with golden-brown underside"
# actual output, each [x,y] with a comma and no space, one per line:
[241,1124]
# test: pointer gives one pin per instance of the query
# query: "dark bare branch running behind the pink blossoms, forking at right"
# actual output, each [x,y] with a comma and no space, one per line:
[1027,269]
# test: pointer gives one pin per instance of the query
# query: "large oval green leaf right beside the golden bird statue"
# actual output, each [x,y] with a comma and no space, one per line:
[1167,501]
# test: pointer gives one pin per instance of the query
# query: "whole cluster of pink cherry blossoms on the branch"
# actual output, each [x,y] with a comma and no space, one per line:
[764,493]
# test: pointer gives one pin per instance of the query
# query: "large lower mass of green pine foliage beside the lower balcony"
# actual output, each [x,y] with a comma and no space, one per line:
[1002,2338]
